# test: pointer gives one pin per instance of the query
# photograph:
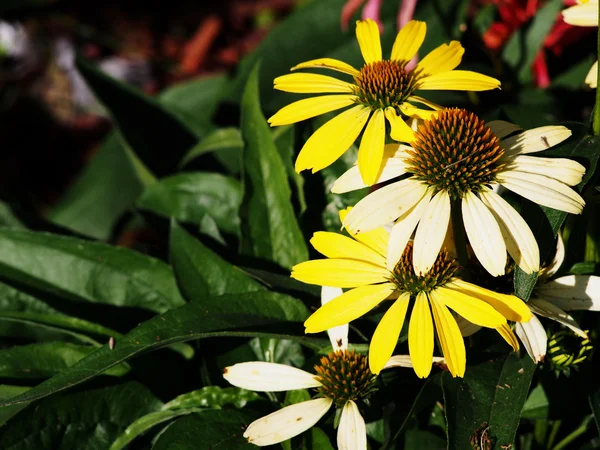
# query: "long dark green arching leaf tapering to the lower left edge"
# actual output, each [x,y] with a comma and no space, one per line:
[252,314]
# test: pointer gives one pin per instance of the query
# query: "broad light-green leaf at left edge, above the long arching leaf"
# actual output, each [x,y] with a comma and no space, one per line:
[85,271]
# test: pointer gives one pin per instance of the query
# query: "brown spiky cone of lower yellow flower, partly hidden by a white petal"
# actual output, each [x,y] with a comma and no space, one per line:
[407,280]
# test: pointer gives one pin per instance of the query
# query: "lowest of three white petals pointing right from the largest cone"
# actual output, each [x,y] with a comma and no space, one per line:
[543,191]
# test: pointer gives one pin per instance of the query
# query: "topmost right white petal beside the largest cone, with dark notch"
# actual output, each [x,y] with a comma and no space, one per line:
[535,140]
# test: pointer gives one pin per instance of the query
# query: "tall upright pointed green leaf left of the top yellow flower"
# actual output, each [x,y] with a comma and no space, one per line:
[269,226]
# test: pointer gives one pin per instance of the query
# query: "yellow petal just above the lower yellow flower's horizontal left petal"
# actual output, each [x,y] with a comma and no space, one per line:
[334,245]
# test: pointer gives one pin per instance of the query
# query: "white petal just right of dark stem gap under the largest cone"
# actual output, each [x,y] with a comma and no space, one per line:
[484,235]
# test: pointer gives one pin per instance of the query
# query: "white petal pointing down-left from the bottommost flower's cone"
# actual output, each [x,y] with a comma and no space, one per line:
[287,422]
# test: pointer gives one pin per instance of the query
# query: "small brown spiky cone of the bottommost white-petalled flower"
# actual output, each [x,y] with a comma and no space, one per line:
[344,375]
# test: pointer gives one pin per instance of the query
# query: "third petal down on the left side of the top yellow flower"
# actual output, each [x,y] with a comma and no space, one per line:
[310,107]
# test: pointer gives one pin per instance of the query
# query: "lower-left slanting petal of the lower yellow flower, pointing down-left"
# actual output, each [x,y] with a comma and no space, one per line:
[347,307]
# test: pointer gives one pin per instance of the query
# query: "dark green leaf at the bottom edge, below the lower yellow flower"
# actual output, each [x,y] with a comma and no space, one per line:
[492,393]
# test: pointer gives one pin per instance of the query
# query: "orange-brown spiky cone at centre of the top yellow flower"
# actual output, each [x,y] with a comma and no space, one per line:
[384,83]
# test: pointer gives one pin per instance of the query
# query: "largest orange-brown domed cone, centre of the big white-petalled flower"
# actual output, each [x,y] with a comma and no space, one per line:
[455,152]
